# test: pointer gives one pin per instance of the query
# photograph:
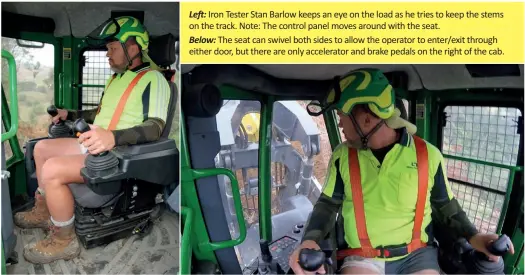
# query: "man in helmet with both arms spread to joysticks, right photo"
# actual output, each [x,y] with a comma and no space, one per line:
[387,182]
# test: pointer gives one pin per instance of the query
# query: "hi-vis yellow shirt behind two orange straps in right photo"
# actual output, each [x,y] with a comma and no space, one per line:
[389,192]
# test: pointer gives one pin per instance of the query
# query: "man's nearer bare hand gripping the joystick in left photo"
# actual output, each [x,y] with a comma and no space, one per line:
[97,140]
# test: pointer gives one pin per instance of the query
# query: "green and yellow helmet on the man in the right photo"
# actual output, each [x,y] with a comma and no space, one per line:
[363,86]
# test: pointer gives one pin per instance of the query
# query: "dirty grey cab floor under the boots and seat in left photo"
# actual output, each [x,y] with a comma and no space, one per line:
[155,253]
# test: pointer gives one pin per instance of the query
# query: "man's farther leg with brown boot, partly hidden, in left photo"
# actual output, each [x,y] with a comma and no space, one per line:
[38,217]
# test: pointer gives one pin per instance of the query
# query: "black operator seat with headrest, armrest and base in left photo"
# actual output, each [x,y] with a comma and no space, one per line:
[126,201]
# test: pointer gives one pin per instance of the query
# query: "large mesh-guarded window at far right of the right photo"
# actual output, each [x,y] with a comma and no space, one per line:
[486,134]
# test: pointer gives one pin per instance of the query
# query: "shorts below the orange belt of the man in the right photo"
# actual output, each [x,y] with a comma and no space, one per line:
[423,258]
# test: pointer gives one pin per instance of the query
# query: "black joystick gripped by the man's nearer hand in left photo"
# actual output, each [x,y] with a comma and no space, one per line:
[99,165]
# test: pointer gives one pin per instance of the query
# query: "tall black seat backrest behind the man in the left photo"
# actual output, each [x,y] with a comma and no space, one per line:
[162,50]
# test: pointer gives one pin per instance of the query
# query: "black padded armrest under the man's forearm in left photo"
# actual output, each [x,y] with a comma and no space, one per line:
[156,162]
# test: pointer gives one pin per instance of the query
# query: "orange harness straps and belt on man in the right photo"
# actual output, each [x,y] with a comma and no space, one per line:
[366,250]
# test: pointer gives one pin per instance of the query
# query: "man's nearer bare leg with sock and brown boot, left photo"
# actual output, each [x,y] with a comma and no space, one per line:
[57,173]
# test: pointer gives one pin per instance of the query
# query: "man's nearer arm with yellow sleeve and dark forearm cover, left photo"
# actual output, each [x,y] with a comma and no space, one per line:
[155,102]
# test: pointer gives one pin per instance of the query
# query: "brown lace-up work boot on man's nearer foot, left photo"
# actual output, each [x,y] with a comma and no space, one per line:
[60,244]
